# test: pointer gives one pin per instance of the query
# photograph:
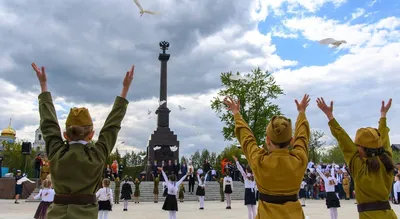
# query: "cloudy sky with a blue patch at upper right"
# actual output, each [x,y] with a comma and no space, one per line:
[87,46]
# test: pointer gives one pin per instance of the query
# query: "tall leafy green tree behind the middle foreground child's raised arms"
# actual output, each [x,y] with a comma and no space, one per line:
[255,99]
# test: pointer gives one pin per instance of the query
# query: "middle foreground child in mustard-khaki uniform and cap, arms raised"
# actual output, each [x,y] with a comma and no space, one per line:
[277,189]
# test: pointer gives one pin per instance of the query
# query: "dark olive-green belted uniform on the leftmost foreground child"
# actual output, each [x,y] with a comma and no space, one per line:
[77,168]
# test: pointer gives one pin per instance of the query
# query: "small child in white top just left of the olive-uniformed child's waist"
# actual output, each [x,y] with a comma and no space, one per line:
[47,196]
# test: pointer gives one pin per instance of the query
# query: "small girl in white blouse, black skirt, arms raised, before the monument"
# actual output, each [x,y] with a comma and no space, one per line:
[170,203]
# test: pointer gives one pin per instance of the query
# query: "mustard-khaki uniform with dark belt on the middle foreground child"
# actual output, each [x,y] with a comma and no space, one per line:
[271,168]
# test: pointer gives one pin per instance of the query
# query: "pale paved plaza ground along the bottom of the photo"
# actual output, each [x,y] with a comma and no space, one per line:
[188,210]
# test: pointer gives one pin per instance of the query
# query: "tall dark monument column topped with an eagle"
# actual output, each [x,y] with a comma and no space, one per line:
[163,144]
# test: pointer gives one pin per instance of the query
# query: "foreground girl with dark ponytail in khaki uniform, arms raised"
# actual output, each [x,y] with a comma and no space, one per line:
[369,158]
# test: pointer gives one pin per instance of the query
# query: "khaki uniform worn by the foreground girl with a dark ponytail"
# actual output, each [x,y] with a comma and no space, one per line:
[370,187]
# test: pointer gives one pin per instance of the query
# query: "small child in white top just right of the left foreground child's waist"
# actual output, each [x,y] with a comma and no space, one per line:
[105,199]
